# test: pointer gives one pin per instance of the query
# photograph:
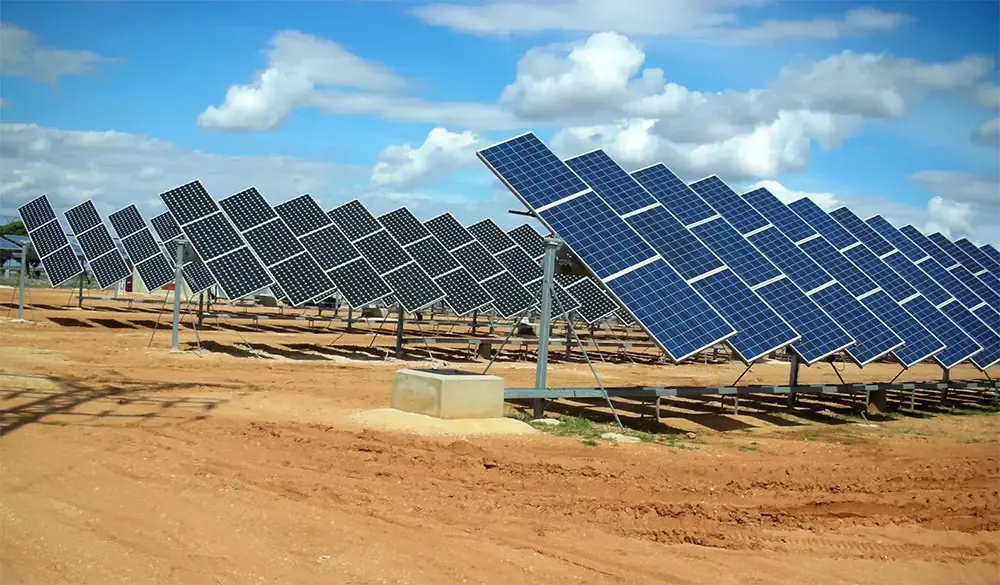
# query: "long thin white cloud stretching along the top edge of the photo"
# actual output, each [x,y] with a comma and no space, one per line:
[710,20]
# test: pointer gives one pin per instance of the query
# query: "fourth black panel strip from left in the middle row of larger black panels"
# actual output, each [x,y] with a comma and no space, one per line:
[411,284]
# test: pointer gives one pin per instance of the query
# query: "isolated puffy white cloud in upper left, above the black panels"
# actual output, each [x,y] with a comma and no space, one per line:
[298,66]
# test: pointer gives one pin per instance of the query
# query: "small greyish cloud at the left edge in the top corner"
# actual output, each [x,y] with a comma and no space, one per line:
[23,55]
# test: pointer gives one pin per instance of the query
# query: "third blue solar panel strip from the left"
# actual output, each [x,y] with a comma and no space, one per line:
[820,335]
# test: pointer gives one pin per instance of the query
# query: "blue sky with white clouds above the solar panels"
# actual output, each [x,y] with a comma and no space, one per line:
[888,108]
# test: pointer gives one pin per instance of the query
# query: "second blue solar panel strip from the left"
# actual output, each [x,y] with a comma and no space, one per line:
[760,330]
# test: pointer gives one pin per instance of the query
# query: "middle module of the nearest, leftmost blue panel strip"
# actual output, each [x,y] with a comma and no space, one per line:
[595,232]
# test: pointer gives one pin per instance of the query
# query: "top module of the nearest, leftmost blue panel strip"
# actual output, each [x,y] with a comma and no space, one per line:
[532,171]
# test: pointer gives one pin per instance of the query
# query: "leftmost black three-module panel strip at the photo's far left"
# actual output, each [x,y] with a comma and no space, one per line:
[49,241]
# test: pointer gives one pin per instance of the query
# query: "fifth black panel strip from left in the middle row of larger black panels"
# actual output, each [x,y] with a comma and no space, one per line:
[463,293]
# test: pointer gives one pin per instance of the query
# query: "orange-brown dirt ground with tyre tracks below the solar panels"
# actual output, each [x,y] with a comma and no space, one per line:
[123,463]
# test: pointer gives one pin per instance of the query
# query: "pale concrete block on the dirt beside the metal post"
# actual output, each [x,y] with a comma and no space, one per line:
[448,394]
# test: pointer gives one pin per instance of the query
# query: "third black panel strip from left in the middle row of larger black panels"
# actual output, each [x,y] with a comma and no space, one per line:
[355,278]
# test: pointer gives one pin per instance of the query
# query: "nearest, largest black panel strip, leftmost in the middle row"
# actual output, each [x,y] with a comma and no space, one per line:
[215,239]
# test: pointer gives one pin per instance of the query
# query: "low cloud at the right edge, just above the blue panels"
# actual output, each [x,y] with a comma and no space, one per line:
[963,205]
